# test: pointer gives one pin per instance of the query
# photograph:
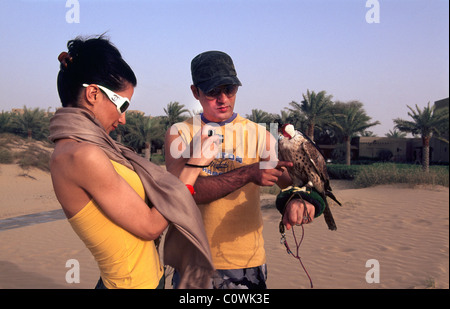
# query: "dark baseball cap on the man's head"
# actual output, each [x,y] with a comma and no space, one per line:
[211,69]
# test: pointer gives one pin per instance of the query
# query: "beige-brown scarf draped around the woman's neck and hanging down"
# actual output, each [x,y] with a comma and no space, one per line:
[186,247]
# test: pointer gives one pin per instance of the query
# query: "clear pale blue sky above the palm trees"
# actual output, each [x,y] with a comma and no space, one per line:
[386,54]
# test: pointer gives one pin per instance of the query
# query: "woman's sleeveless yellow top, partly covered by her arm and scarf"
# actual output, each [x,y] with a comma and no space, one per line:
[125,260]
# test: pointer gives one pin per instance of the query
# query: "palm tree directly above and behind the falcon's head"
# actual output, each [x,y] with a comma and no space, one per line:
[315,108]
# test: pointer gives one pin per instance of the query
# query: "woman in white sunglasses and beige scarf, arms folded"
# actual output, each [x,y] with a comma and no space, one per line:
[105,188]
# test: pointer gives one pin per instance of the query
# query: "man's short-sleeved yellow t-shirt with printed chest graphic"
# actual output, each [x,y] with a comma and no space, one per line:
[233,223]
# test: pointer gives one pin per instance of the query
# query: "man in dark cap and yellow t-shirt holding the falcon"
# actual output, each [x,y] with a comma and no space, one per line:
[227,191]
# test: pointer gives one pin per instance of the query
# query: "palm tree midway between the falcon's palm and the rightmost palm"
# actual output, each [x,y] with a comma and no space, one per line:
[350,119]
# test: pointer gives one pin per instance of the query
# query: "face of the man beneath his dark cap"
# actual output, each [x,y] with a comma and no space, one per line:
[218,105]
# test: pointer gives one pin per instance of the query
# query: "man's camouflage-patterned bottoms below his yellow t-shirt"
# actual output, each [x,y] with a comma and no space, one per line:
[245,278]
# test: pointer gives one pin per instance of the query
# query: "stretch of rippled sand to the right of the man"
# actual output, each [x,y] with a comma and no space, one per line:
[404,229]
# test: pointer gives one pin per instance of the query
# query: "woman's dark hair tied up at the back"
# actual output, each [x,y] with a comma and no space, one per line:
[91,61]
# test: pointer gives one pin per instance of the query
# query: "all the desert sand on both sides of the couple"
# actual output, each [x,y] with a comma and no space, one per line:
[403,230]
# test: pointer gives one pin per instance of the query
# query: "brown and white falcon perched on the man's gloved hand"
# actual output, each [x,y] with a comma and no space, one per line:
[309,166]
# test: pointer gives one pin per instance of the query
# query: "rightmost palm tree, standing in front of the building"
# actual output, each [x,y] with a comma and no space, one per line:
[426,123]
